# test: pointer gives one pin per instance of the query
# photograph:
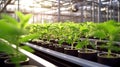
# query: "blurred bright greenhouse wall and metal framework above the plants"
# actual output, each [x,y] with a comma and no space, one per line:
[63,10]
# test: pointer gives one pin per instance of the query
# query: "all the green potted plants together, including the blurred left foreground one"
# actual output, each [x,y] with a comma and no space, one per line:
[66,35]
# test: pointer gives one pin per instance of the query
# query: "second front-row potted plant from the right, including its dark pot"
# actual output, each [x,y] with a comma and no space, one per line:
[84,51]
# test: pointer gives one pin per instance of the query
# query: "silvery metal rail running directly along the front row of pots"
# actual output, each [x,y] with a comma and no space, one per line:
[71,59]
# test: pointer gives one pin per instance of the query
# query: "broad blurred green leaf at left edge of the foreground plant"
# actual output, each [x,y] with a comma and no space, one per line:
[9,31]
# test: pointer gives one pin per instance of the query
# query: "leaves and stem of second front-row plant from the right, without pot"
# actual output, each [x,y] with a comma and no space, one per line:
[85,29]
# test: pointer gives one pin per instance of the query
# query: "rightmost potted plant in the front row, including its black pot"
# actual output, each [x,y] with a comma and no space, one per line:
[111,31]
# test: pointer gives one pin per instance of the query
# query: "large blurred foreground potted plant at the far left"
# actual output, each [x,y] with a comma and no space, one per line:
[12,33]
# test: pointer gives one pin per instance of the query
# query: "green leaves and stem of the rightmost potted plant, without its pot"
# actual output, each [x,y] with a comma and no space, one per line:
[108,30]
